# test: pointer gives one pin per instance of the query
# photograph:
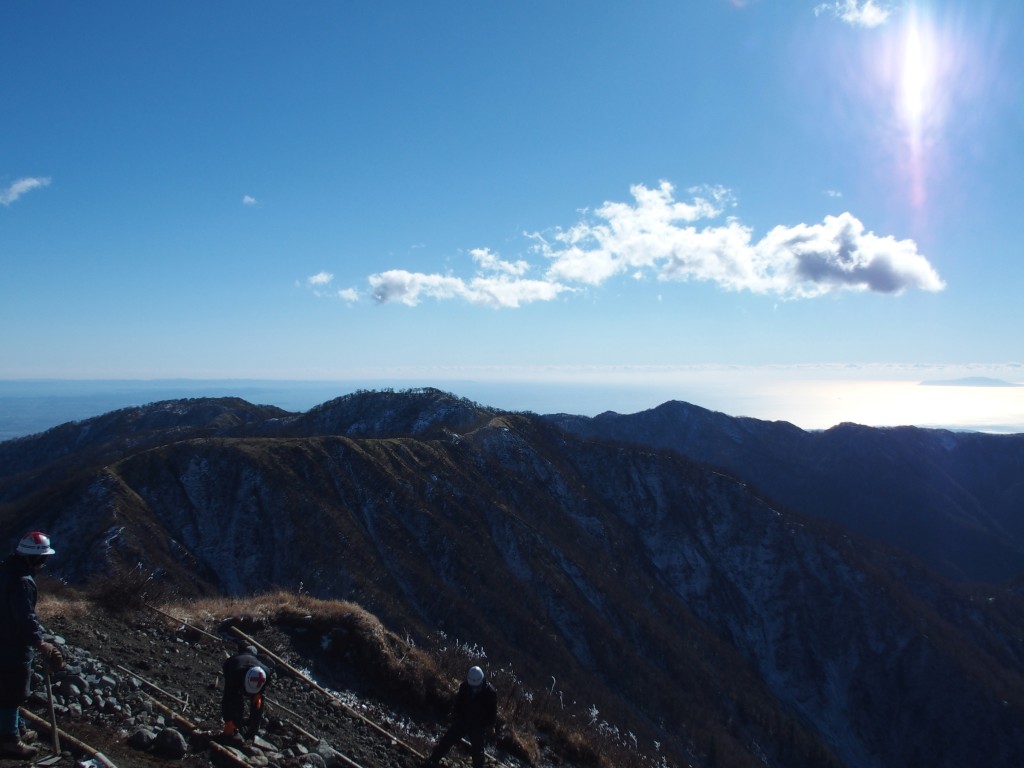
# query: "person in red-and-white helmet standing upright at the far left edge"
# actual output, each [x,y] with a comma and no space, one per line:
[21,637]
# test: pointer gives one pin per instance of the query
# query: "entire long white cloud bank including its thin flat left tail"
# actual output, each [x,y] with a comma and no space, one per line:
[658,237]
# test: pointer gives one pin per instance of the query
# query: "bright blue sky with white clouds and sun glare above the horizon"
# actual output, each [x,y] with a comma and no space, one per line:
[591,193]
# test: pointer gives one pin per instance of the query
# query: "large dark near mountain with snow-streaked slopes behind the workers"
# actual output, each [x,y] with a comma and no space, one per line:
[672,596]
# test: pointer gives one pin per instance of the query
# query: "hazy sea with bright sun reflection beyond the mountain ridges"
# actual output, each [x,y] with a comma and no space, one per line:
[810,400]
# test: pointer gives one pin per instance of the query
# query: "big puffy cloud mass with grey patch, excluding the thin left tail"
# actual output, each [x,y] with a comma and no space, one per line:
[657,236]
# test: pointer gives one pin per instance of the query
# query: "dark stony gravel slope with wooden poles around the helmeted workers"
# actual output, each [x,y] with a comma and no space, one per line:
[115,664]
